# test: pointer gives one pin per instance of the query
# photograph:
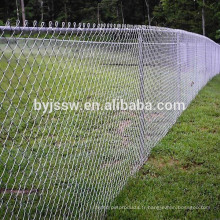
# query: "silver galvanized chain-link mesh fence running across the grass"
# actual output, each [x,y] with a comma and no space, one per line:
[71,164]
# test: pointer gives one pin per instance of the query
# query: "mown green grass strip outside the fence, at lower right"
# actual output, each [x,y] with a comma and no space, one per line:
[183,169]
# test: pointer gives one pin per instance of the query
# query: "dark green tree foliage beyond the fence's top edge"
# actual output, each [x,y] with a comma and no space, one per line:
[182,14]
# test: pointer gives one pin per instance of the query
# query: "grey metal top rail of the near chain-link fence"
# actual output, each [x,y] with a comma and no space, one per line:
[100,28]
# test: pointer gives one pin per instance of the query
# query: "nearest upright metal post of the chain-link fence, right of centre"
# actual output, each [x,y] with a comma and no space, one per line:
[141,78]
